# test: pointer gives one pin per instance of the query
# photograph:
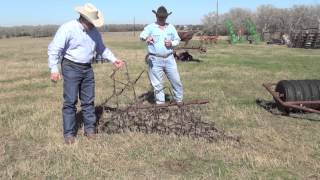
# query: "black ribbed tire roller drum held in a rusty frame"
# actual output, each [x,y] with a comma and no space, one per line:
[298,90]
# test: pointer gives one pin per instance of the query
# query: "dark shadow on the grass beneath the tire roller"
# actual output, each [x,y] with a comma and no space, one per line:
[272,107]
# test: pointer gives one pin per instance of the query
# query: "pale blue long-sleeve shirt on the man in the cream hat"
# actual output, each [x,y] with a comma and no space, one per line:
[72,42]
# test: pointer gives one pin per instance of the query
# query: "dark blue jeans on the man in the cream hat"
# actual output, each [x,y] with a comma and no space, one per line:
[78,82]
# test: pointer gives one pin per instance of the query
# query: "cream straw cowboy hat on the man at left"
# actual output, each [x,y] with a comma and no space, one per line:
[91,13]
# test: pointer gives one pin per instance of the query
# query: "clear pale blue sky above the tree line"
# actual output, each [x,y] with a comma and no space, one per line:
[44,12]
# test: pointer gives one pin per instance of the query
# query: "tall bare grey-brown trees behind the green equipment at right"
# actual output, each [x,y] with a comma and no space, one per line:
[267,18]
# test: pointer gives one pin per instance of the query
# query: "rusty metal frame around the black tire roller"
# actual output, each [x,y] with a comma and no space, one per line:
[298,105]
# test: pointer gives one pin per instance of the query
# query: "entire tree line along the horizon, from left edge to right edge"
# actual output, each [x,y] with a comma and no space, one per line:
[267,18]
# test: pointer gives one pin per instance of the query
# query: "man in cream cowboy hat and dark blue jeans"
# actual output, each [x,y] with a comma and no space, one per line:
[76,43]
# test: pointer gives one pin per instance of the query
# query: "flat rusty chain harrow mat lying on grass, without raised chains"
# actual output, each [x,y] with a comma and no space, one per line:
[180,121]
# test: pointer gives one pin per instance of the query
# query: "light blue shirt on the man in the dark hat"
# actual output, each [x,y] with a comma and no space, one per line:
[159,36]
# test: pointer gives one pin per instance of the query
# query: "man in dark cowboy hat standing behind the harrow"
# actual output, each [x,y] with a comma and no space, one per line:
[161,37]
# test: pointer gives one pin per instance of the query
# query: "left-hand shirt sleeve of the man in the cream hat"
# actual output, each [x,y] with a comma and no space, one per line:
[56,47]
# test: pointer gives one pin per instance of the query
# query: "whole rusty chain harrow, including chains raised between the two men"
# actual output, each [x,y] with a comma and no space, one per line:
[184,119]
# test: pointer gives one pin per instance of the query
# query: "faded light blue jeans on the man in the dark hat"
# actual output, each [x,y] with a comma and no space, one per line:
[158,67]
